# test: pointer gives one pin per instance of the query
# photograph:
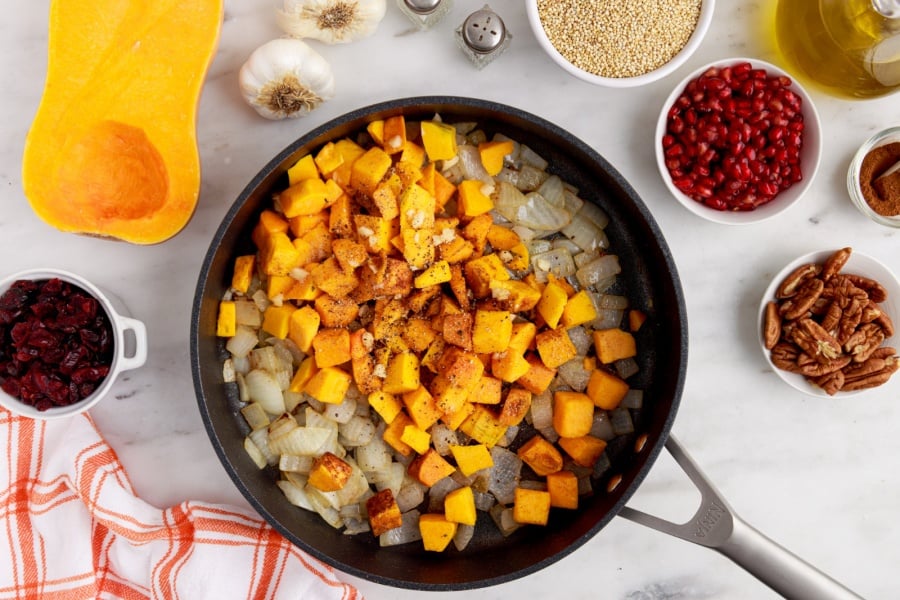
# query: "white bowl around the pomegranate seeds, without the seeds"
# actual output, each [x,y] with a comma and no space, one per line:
[810,154]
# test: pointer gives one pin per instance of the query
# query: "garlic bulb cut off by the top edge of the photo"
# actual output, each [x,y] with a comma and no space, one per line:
[331,21]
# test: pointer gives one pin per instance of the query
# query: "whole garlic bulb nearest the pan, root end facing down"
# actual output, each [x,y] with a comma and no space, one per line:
[286,78]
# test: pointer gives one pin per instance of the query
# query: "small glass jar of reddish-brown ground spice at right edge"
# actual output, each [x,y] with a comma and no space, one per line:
[875,195]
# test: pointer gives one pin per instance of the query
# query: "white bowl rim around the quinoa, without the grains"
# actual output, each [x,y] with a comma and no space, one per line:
[703,22]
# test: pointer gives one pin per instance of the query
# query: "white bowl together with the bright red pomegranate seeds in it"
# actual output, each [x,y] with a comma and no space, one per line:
[738,141]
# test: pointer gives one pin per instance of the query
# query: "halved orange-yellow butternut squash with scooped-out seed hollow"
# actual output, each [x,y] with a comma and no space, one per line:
[112,150]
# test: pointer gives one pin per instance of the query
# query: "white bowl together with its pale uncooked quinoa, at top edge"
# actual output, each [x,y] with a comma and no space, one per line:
[620,44]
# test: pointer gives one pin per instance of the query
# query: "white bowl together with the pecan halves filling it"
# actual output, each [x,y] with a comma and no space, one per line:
[826,323]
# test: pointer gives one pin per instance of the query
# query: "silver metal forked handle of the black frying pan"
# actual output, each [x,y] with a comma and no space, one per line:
[715,525]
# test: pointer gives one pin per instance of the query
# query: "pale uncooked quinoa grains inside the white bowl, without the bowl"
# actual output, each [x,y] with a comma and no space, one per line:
[616,38]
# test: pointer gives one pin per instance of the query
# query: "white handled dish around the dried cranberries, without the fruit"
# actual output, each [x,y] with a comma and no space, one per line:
[129,345]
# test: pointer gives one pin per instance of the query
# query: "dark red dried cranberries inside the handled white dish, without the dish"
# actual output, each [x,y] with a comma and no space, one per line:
[55,343]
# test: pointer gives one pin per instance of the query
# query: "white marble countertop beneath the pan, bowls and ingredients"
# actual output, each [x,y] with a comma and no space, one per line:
[818,476]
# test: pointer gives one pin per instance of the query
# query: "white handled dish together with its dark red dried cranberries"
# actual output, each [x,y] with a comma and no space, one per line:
[62,343]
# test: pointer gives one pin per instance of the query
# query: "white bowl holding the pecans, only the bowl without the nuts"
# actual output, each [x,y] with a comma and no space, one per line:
[859,264]
